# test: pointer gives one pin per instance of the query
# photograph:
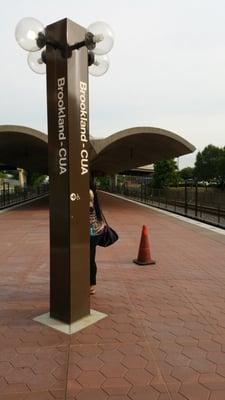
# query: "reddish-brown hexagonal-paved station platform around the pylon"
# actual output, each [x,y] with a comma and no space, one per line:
[164,337]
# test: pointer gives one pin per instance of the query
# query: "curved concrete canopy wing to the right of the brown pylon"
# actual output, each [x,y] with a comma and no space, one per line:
[136,147]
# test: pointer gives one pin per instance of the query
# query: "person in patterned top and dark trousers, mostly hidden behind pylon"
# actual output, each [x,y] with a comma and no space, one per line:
[97,225]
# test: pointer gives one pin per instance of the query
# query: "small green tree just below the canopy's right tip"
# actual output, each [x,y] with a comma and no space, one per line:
[165,173]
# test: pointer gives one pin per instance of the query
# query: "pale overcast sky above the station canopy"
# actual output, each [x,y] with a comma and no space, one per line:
[167,67]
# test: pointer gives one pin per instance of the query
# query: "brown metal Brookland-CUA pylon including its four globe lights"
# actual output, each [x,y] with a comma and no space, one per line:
[69,50]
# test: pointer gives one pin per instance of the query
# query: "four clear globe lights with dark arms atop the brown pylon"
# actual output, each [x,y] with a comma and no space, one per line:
[30,35]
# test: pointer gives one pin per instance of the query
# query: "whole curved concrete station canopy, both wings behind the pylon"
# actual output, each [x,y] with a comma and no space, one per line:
[27,148]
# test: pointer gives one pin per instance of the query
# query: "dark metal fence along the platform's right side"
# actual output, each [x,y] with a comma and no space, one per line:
[204,204]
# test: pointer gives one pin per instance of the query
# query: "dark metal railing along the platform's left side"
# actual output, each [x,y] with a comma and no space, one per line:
[12,196]
